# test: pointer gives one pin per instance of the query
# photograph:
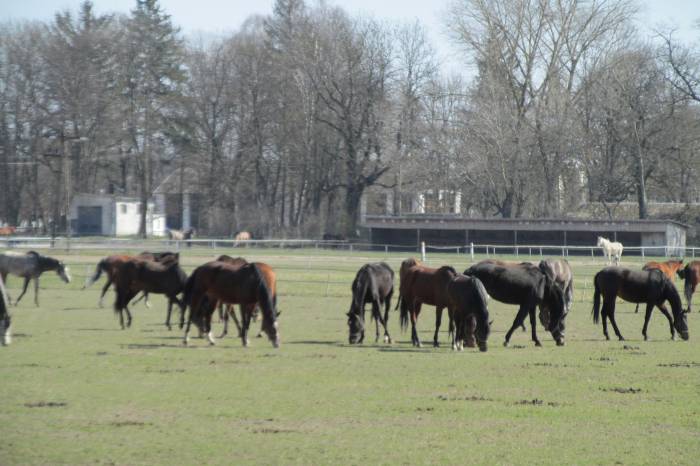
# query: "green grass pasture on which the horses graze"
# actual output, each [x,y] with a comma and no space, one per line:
[75,389]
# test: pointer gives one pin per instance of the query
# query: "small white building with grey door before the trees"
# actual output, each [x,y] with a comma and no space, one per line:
[100,214]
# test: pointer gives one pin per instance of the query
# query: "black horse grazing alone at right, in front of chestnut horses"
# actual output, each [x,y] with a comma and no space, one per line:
[637,286]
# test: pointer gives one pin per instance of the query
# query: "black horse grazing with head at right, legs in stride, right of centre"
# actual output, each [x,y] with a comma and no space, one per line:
[526,285]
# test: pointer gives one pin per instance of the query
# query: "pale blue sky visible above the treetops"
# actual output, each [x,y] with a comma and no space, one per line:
[218,16]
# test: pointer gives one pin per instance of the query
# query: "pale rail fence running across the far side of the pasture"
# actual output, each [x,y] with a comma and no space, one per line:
[534,250]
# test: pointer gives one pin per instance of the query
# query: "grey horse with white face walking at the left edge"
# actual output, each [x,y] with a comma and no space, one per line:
[30,266]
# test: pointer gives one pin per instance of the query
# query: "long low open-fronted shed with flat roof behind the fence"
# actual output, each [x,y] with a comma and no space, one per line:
[453,230]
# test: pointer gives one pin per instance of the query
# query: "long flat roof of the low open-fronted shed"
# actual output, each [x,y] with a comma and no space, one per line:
[457,222]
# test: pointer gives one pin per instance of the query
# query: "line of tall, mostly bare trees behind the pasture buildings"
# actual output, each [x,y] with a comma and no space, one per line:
[284,125]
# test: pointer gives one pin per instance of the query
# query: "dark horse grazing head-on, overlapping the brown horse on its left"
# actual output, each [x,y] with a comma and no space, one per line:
[468,300]
